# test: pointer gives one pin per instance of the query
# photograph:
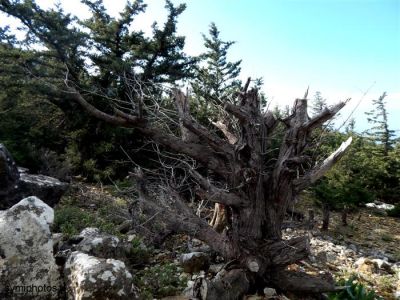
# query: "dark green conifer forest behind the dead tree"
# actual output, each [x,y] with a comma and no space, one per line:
[50,134]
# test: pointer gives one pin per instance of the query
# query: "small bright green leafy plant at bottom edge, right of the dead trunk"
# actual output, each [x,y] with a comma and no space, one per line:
[352,290]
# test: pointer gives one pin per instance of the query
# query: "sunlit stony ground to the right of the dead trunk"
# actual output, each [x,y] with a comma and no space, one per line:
[368,248]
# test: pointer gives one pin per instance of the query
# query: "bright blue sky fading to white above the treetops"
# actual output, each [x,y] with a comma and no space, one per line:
[342,48]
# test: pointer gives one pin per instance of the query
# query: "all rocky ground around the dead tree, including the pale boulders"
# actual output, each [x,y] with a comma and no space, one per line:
[97,243]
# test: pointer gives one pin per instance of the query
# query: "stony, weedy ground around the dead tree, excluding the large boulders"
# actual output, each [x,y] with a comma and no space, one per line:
[366,248]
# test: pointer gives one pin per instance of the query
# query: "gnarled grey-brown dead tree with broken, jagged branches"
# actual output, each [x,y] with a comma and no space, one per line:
[255,190]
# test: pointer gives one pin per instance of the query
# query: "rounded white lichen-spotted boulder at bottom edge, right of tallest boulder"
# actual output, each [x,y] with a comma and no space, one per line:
[89,277]
